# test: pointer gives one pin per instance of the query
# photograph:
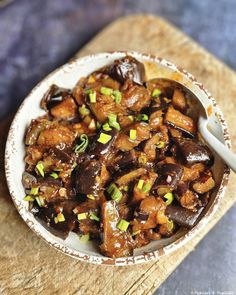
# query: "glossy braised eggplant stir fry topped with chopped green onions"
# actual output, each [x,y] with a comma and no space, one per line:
[117,159]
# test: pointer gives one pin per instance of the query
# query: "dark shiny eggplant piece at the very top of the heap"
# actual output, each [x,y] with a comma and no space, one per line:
[127,68]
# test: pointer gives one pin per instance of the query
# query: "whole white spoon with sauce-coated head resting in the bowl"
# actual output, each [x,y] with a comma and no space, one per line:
[223,152]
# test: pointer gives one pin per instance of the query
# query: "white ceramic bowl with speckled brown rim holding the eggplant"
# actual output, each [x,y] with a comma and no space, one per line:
[66,76]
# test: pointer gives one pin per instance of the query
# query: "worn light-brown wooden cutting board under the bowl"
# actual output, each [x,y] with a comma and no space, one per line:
[27,264]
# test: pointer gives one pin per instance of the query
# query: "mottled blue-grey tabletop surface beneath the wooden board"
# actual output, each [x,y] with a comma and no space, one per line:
[36,36]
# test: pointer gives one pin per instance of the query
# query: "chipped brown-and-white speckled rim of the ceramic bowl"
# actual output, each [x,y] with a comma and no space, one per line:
[164,250]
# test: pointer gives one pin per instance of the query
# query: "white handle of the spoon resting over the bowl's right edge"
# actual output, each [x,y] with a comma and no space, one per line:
[222,151]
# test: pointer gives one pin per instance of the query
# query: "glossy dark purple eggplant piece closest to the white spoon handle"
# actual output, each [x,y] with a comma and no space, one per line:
[194,152]
